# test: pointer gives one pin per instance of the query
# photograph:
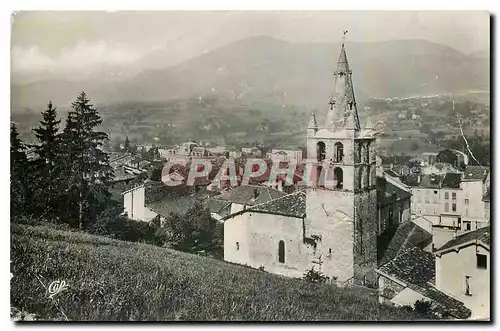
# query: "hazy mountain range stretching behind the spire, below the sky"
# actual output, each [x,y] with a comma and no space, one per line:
[266,69]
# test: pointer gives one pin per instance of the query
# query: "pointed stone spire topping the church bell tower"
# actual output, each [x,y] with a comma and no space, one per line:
[343,113]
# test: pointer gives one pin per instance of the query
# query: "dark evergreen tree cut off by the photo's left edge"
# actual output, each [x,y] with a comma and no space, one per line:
[19,193]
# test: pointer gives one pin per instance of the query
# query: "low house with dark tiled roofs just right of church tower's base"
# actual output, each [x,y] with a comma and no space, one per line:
[409,277]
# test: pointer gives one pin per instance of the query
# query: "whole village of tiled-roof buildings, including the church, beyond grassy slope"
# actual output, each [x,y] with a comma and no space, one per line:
[414,231]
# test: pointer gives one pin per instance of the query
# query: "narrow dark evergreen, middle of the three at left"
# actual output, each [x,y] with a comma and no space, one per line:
[46,167]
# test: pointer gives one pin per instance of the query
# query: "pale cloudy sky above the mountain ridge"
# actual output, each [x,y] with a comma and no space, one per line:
[63,42]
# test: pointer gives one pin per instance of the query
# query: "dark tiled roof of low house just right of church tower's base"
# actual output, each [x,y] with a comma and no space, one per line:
[416,269]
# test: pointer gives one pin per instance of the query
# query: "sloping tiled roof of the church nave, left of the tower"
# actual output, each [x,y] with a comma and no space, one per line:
[293,205]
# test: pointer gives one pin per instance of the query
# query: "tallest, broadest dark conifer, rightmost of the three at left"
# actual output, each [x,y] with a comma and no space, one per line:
[88,171]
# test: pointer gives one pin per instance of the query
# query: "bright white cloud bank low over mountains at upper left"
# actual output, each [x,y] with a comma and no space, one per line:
[84,56]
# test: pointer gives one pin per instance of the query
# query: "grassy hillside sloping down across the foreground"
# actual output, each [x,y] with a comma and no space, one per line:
[111,280]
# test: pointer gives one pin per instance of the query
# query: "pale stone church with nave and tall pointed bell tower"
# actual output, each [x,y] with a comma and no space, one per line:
[331,228]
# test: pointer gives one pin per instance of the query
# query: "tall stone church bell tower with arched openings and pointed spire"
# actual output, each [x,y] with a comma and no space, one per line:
[341,200]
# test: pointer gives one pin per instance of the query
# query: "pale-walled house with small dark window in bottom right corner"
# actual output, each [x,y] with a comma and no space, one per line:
[463,270]
